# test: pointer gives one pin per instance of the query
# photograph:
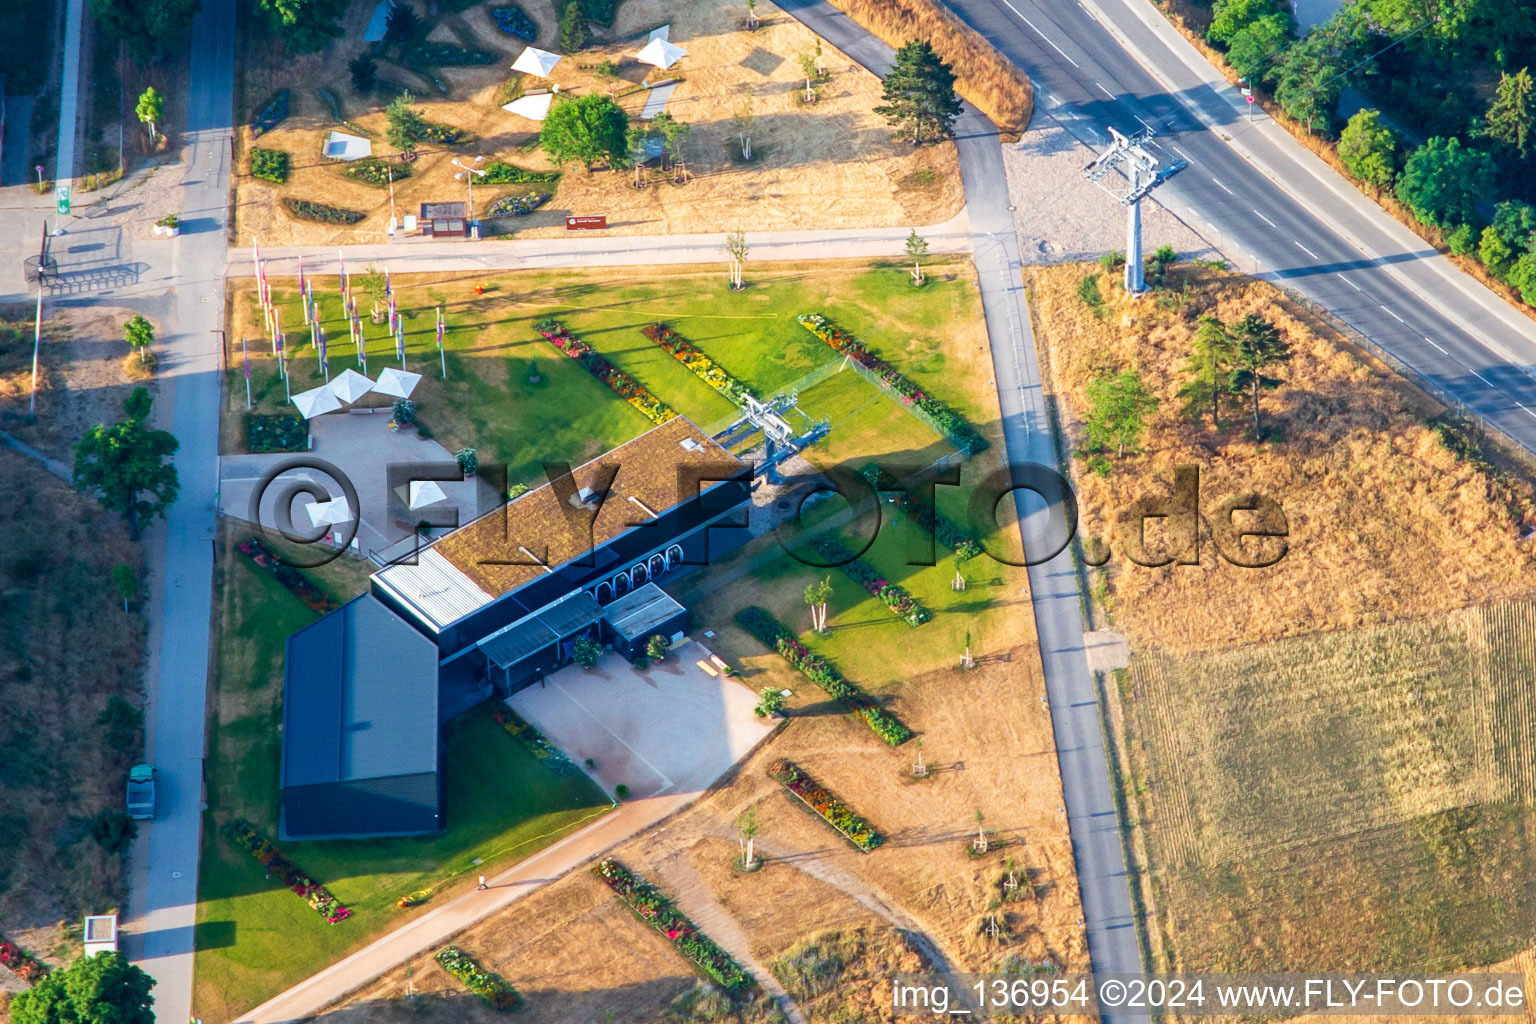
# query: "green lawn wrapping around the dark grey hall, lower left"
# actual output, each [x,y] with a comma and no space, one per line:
[256,939]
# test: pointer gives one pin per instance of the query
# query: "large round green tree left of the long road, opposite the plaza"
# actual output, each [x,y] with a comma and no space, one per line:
[127,461]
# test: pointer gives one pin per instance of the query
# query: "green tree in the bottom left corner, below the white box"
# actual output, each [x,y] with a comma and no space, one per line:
[102,989]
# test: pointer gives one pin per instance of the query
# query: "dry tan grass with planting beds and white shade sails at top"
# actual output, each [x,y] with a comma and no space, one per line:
[827,165]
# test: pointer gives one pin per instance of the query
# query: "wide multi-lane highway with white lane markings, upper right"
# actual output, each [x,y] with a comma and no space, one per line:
[1266,202]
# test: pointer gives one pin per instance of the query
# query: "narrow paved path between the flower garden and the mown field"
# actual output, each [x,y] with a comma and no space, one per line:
[1097,850]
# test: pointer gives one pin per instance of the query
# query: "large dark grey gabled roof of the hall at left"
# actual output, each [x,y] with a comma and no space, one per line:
[360,698]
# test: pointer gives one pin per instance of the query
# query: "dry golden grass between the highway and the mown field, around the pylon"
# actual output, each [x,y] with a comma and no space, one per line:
[1385,521]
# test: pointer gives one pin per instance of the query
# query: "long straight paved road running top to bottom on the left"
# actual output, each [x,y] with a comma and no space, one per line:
[164,903]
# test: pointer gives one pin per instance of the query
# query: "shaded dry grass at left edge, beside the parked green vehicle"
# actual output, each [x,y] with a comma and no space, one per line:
[67,647]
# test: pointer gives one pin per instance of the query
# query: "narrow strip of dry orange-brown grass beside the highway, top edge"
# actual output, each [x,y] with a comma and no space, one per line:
[985,78]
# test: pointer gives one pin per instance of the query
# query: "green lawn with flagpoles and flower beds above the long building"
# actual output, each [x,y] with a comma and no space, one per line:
[492,349]
